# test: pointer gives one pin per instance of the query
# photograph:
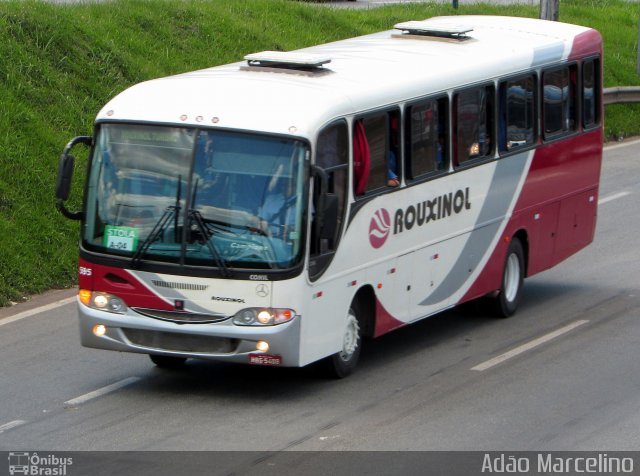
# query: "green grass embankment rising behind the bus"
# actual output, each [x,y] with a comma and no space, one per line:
[60,63]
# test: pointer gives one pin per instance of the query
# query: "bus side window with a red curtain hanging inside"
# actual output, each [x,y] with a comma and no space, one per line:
[381,138]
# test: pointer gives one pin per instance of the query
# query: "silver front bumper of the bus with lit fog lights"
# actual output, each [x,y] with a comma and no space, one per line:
[223,341]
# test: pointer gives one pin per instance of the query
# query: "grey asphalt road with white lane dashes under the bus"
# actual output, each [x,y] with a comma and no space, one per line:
[566,375]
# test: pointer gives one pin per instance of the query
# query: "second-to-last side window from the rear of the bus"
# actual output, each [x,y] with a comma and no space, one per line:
[559,113]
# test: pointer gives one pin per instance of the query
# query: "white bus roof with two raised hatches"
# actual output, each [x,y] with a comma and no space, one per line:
[364,73]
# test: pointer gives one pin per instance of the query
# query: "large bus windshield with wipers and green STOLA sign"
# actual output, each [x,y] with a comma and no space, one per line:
[196,197]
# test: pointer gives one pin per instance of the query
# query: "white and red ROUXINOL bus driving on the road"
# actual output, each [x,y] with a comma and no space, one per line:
[278,210]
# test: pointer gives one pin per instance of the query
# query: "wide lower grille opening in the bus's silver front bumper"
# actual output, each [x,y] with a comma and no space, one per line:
[179,342]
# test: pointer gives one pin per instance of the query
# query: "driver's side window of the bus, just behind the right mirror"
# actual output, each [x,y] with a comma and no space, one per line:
[332,155]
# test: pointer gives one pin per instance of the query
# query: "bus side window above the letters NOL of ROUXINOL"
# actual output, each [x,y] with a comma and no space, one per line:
[473,116]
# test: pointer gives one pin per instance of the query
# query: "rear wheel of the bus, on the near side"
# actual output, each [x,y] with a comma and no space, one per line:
[508,297]
